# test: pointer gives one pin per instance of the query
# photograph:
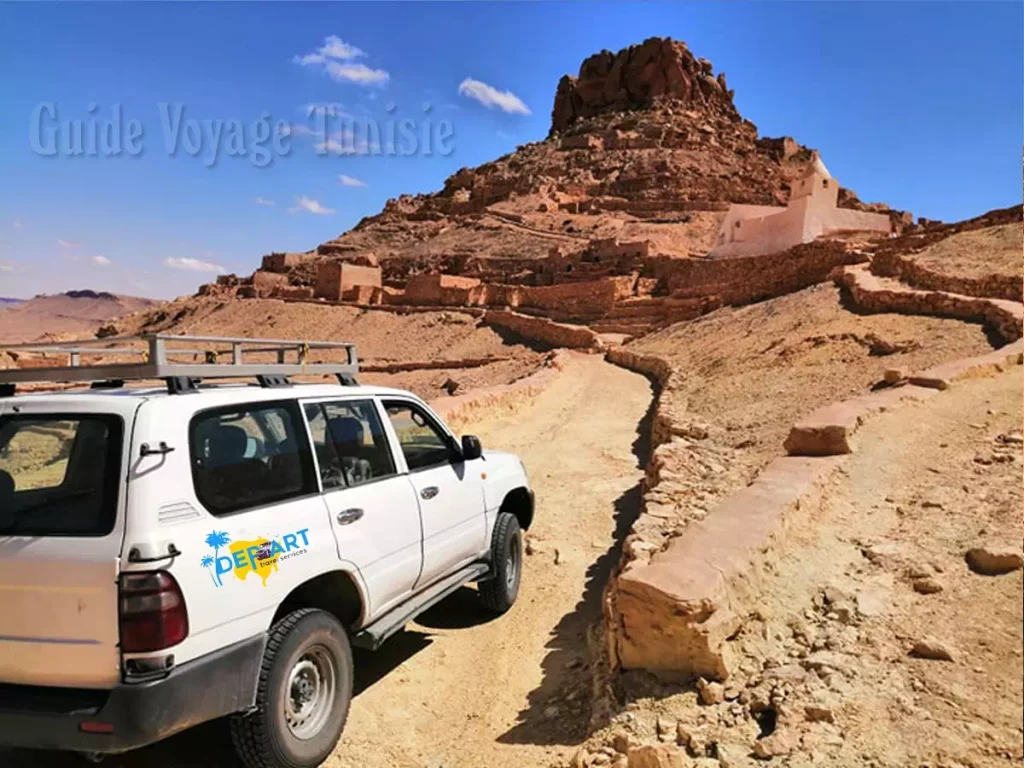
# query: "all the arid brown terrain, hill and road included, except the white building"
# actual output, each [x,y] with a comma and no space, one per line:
[780,496]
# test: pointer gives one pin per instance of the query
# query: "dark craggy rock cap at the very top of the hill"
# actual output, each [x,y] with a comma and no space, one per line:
[636,78]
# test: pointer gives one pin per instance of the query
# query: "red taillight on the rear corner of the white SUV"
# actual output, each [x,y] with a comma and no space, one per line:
[153,613]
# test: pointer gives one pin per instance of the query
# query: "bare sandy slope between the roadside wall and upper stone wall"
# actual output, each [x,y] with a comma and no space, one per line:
[750,373]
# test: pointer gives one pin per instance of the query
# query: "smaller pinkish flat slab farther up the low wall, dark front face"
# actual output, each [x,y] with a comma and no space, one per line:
[830,431]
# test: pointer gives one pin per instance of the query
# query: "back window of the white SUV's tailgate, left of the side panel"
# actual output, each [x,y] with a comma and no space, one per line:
[60,475]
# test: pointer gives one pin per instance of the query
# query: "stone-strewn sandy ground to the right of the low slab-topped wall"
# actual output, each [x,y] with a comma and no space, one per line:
[880,569]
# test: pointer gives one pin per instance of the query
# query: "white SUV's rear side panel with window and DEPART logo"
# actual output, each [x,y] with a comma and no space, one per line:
[240,498]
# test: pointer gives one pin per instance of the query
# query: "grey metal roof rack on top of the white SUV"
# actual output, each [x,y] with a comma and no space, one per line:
[159,357]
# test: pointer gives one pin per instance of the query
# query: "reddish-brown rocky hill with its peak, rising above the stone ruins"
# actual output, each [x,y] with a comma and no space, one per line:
[646,144]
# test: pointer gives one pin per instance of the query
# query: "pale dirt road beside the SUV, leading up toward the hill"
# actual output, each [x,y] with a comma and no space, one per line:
[458,689]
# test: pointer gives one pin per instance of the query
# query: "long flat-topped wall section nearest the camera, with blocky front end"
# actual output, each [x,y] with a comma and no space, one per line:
[676,613]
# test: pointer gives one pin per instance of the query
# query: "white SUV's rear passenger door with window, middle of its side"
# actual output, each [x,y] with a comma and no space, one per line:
[373,509]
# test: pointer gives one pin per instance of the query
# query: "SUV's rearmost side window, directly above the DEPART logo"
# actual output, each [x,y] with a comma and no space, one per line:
[250,456]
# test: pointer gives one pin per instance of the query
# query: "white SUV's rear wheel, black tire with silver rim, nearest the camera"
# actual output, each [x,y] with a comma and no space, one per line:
[265,739]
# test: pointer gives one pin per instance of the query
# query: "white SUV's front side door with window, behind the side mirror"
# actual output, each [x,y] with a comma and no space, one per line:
[450,492]
